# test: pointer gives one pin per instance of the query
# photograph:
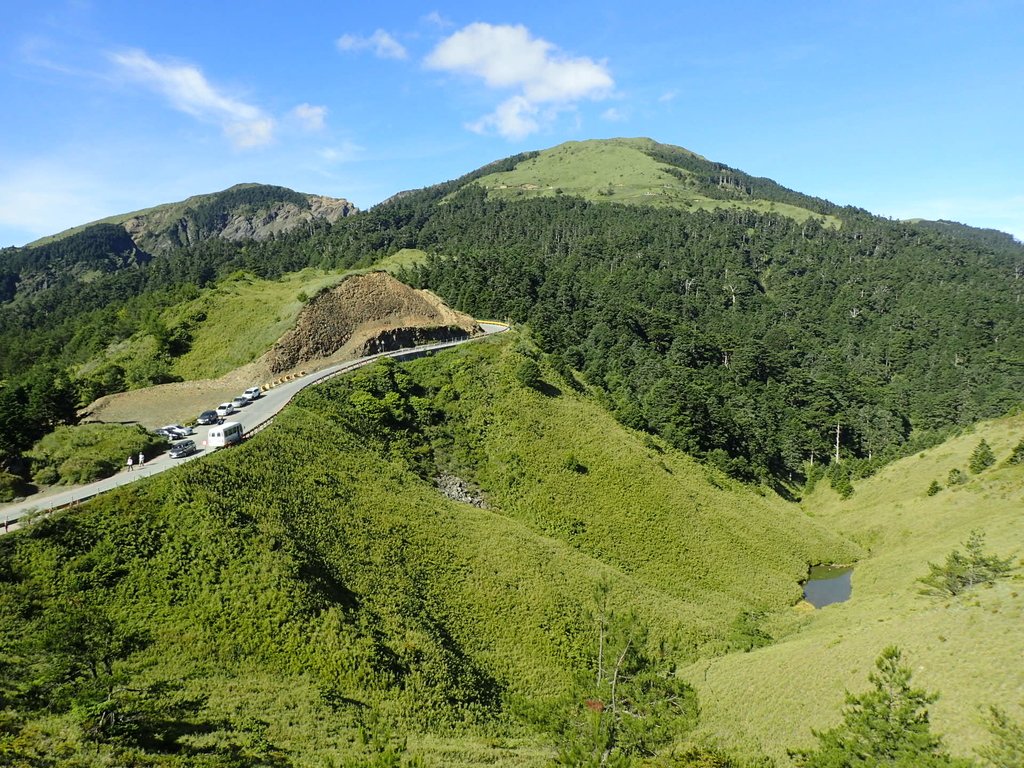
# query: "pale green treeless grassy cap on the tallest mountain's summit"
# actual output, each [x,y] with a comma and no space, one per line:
[621,172]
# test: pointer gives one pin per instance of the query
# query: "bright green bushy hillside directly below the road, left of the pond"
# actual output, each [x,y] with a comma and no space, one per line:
[301,599]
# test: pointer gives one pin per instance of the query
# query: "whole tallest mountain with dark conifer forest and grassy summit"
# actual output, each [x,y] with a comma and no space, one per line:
[748,334]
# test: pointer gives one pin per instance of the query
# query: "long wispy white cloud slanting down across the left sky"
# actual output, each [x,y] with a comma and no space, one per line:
[188,91]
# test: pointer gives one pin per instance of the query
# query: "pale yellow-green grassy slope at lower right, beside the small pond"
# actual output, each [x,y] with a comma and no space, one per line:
[969,650]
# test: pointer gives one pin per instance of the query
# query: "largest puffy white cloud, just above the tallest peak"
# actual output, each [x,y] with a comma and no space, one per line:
[508,58]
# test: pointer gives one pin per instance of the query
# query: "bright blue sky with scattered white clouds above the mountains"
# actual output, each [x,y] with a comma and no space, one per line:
[906,109]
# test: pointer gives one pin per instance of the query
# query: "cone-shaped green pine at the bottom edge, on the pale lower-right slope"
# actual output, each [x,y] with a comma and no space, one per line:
[886,727]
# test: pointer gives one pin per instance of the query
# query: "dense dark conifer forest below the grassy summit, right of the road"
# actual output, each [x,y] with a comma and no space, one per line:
[747,337]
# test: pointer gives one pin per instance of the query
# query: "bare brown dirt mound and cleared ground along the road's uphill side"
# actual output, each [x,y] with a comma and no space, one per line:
[364,314]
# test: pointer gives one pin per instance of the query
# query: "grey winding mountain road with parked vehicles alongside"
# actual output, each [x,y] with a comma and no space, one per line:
[254,417]
